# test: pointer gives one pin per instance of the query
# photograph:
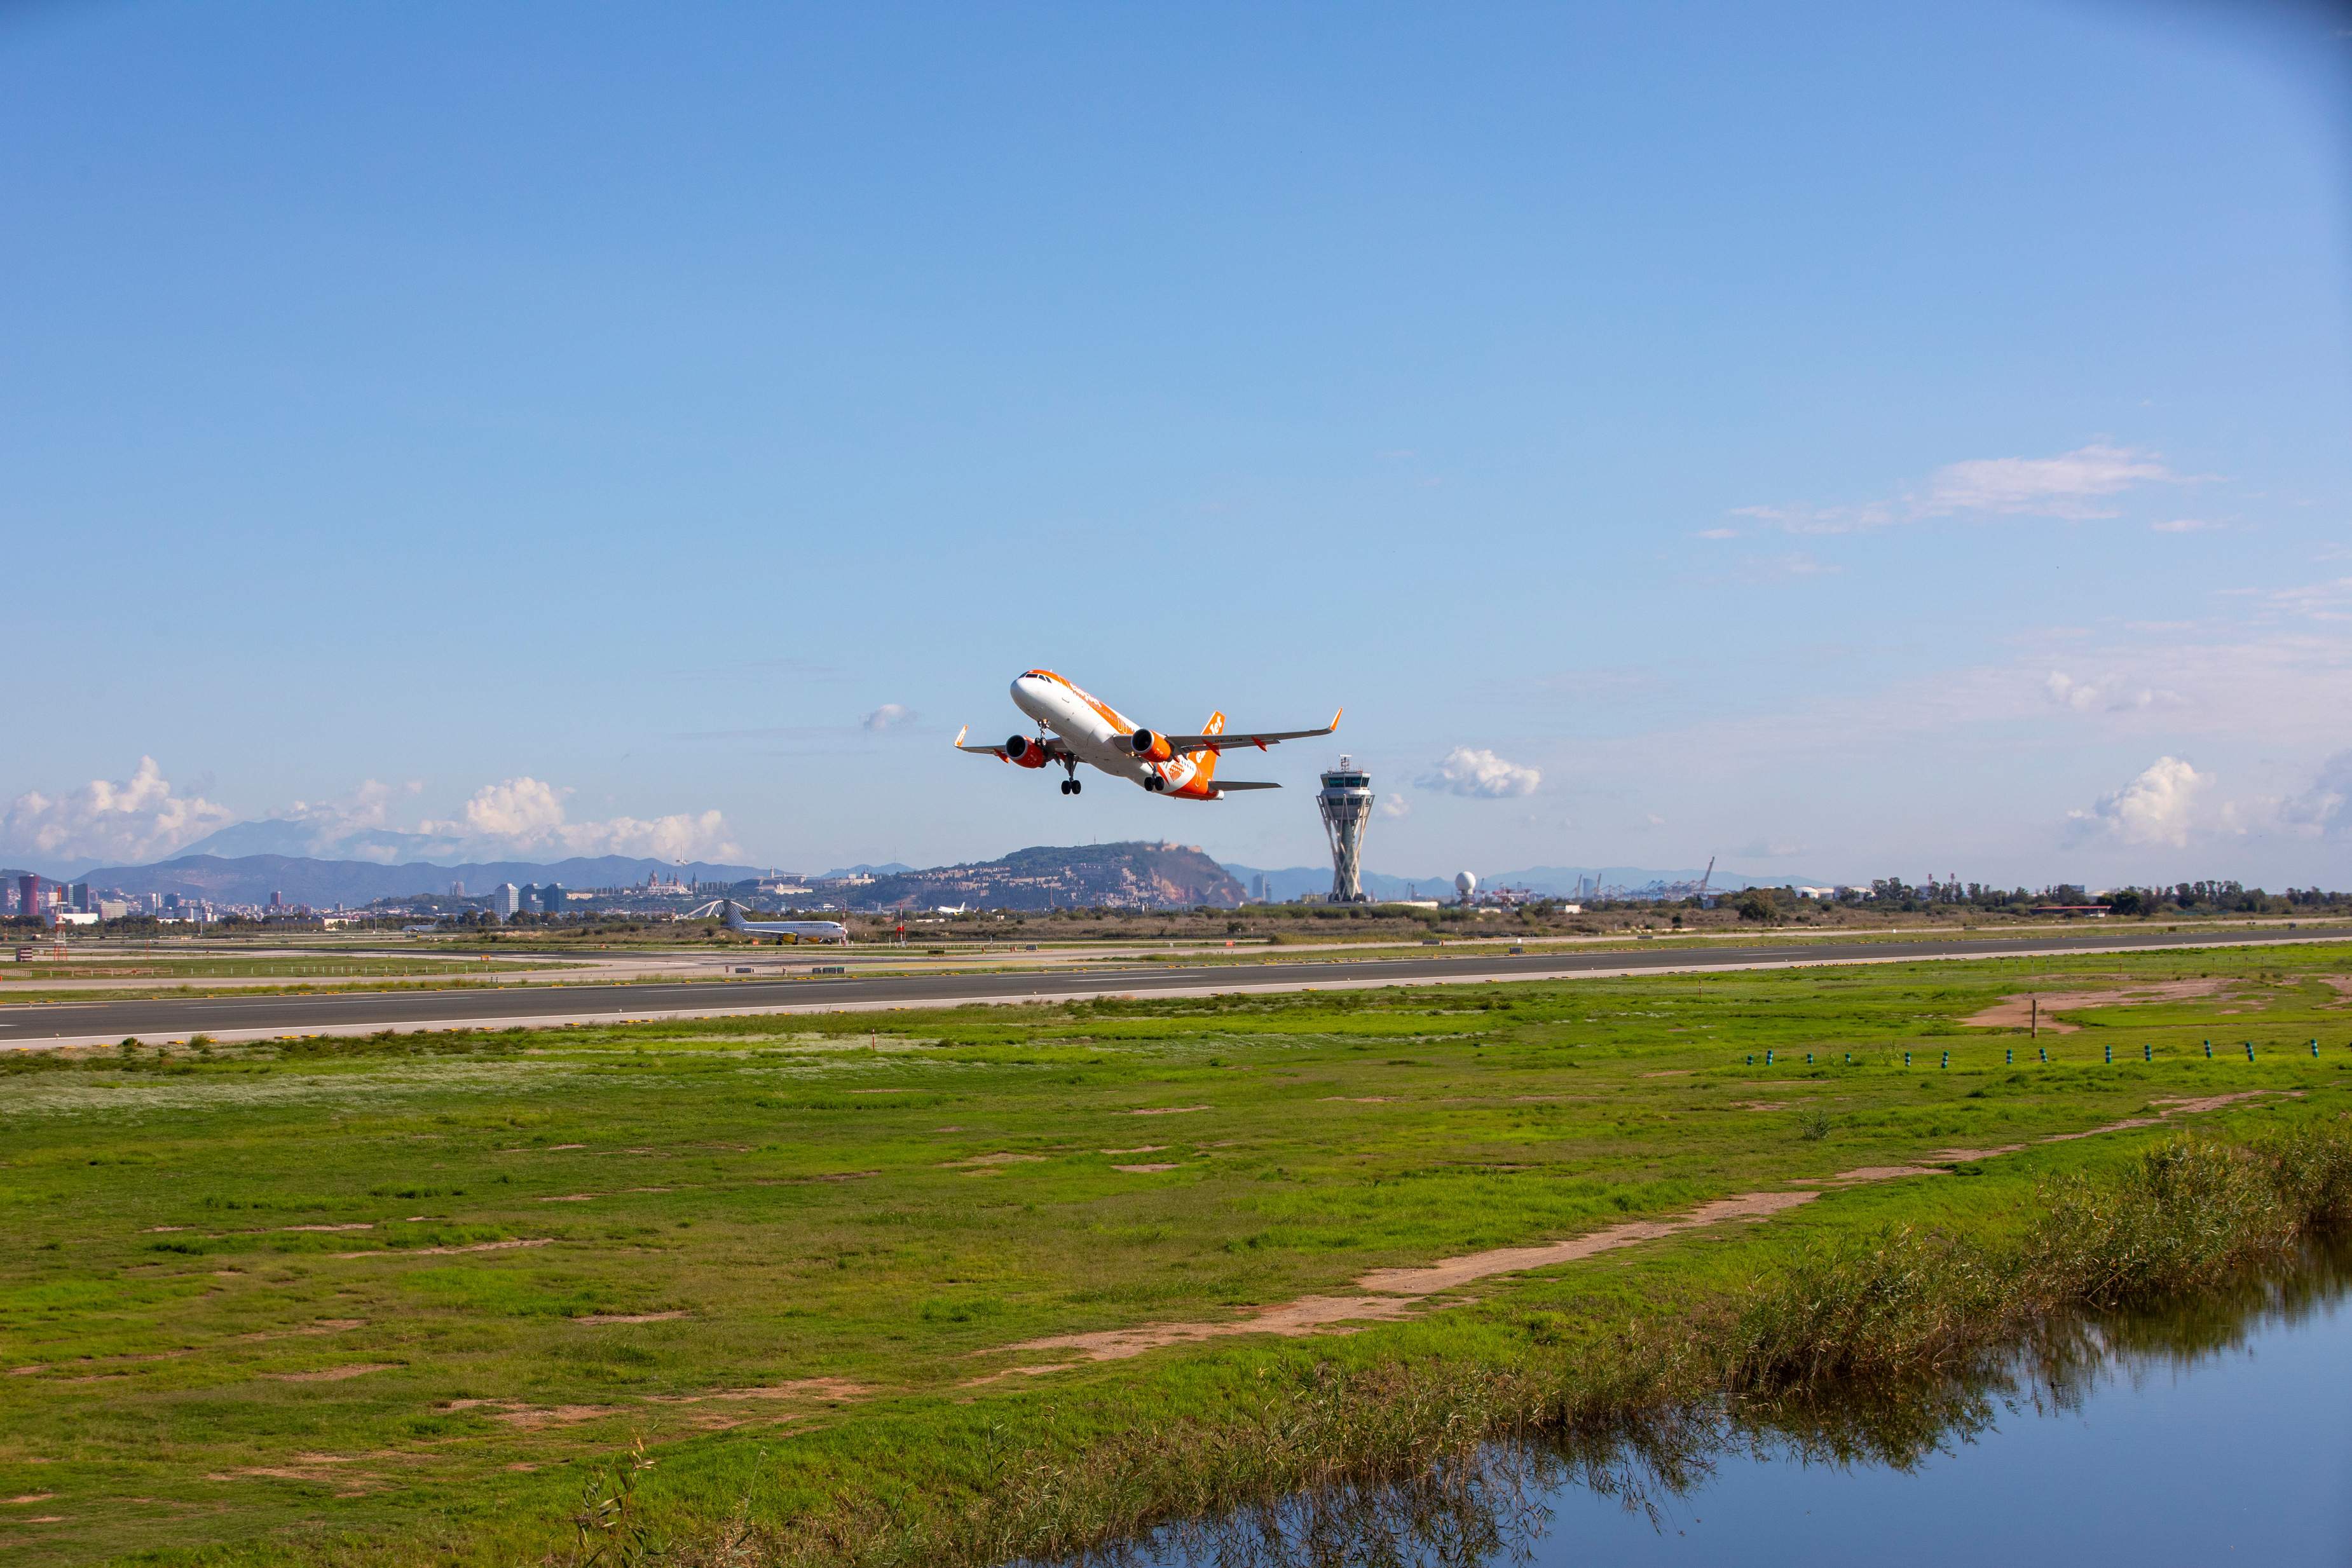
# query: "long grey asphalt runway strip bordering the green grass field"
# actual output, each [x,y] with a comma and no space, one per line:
[549,1005]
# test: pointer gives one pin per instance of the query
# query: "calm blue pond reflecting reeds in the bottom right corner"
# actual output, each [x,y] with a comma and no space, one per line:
[2210,1435]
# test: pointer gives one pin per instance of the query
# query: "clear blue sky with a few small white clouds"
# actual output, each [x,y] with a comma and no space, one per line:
[1852,441]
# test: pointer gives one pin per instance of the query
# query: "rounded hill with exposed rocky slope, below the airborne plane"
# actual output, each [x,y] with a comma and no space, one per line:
[1095,876]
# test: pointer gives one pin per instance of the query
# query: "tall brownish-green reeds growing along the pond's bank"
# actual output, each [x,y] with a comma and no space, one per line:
[1855,1348]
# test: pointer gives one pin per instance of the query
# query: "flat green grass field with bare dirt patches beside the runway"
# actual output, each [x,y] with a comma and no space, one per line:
[377,1301]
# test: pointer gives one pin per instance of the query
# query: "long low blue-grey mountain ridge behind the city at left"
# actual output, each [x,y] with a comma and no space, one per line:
[356,883]
